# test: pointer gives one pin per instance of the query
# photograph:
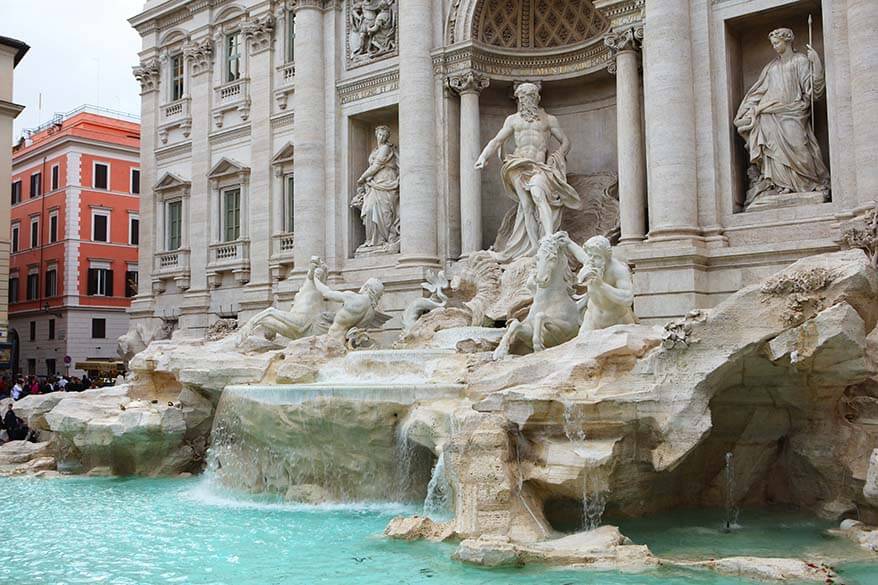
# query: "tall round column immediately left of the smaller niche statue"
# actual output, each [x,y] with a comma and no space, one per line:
[309,136]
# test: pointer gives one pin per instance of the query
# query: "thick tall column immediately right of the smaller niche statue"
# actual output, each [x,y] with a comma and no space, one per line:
[417,134]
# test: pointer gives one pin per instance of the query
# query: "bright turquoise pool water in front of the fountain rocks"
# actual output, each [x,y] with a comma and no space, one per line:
[151,532]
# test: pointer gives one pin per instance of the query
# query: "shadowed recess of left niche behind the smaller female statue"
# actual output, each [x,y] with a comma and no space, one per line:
[361,143]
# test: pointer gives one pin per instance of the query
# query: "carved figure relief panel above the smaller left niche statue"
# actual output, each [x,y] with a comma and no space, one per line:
[372,31]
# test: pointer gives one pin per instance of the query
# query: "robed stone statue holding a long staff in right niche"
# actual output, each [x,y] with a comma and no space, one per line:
[775,121]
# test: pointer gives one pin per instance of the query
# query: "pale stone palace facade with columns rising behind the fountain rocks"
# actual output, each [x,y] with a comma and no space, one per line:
[259,120]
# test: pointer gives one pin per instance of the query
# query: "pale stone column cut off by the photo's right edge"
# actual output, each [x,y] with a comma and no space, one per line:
[862,24]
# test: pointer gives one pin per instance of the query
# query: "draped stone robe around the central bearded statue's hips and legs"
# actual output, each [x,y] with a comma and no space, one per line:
[512,238]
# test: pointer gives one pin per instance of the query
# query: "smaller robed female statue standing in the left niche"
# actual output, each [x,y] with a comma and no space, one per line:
[377,197]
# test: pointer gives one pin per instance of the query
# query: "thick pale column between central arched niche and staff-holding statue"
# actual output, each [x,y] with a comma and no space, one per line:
[670,120]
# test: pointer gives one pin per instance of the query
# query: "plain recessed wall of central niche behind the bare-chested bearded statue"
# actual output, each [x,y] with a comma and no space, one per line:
[586,110]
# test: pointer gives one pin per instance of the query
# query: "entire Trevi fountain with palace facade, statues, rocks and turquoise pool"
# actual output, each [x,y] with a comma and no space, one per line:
[657,371]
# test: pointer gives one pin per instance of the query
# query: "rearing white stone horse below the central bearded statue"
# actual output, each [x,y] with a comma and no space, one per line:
[554,316]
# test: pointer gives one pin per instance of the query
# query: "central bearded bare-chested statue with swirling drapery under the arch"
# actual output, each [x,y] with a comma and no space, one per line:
[532,176]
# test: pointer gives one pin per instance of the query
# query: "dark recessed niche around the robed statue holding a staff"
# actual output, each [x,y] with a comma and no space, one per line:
[749,50]
